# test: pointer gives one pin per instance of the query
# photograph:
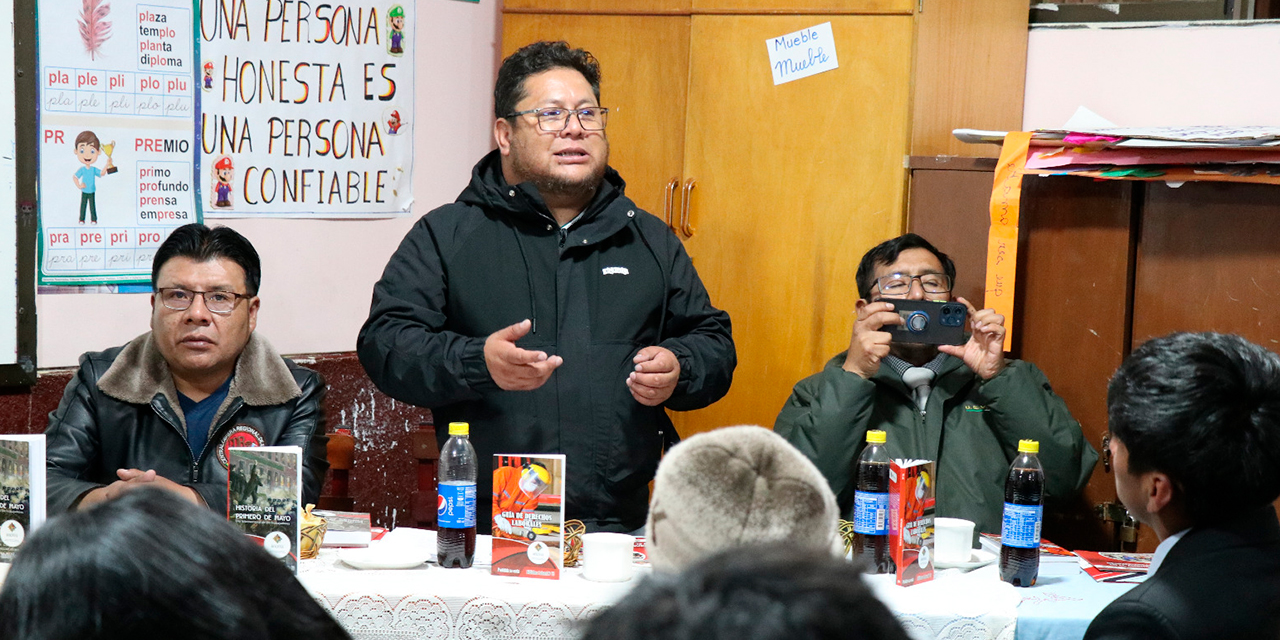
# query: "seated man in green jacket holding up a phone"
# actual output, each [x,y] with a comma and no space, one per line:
[963,406]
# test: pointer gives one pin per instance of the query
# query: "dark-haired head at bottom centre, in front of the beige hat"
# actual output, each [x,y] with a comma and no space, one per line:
[752,593]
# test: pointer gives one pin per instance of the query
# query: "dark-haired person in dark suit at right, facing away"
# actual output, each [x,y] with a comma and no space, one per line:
[1195,424]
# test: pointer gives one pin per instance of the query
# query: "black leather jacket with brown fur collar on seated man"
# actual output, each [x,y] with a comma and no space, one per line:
[121,412]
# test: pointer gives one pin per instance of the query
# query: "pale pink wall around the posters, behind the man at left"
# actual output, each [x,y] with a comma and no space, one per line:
[318,276]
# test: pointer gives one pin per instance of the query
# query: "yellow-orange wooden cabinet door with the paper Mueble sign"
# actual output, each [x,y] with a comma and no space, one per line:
[793,184]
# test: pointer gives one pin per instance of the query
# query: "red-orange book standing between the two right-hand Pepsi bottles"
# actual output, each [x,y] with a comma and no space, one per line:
[911,506]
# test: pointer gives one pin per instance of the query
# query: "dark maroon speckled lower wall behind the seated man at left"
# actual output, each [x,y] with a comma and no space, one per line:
[386,476]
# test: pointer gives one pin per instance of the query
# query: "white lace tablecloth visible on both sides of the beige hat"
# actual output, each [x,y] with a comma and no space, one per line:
[450,604]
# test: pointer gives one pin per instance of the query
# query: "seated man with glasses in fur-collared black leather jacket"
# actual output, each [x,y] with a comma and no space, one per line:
[163,410]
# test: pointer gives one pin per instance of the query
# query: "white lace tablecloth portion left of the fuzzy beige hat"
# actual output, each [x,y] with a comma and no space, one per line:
[452,604]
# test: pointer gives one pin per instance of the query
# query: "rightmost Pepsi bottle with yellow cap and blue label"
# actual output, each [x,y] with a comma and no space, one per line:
[1025,514]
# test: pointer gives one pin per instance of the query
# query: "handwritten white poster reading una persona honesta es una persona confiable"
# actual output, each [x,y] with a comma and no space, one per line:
[307,108]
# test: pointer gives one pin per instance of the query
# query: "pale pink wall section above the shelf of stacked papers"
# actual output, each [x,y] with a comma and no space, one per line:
[1155,76]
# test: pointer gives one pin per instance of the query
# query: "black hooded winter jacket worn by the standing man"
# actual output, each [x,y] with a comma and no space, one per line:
[615,282]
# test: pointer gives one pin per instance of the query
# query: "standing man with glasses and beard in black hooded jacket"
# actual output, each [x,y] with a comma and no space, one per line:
[546,308]
